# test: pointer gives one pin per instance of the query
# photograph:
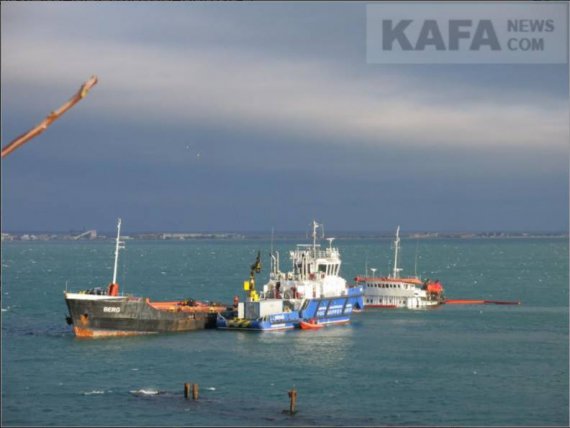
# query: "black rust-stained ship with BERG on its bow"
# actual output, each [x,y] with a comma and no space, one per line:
[103,312]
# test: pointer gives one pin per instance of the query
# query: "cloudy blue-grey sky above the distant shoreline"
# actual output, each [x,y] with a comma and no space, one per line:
[251,116]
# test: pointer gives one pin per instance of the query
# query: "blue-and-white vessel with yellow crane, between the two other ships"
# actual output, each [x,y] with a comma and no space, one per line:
[311,293]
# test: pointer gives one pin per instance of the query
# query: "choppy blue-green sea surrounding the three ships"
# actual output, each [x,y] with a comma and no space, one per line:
[454,365]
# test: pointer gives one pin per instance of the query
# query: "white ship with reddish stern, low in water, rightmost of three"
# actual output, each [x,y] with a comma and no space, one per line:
[394,291]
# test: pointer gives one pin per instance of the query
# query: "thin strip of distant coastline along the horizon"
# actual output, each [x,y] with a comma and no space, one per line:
[92,235]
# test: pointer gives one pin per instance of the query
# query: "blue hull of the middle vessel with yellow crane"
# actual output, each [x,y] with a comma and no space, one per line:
[331,310]
